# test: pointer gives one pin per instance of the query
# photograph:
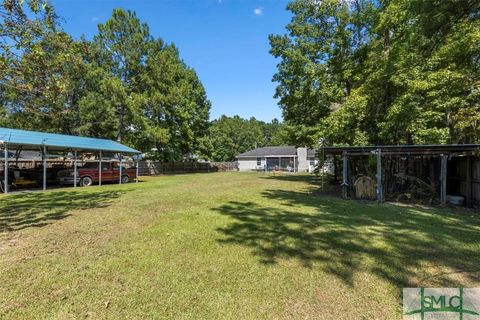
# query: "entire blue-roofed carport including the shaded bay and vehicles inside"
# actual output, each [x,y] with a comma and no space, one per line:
[39,159]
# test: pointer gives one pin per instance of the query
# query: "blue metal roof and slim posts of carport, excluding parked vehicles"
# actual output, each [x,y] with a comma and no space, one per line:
[72,146]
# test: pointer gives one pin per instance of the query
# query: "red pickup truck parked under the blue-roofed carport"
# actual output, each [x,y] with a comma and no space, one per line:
[88,174]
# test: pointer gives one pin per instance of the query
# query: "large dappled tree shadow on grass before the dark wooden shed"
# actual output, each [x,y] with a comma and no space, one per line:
[405,246]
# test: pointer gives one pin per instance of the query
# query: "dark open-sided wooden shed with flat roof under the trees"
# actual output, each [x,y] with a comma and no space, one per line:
[446,171]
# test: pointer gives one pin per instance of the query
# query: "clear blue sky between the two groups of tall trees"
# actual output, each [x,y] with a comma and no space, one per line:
[226,41]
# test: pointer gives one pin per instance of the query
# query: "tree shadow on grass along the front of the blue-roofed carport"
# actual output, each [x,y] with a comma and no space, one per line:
[37,209]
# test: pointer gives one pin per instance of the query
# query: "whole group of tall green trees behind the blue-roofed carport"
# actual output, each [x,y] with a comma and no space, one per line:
[124,84]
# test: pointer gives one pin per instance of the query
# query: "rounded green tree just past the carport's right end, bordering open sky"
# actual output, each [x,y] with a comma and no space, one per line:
[174,106]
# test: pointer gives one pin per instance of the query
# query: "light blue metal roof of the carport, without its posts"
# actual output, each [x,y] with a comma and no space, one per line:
[28,139]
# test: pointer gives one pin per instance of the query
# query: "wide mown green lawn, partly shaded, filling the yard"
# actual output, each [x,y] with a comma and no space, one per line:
[223,245]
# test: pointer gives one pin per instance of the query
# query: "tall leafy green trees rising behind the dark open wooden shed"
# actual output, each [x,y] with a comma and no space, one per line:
[360,72]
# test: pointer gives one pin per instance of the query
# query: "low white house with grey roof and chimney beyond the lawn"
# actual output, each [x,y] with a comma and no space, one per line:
[286,158]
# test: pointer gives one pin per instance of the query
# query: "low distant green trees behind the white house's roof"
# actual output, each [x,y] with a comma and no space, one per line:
[229,136]
